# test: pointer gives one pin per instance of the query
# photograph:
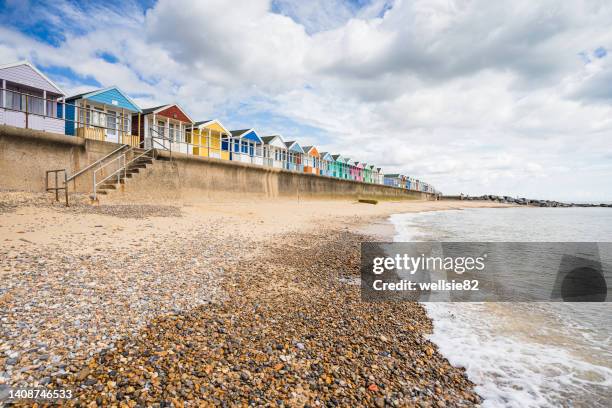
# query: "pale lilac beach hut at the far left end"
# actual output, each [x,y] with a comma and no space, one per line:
[28,99]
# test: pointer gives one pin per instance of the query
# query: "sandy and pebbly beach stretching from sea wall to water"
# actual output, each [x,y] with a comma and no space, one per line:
[235,302]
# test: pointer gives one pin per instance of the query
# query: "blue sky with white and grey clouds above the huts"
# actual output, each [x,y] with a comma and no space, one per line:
[474,96]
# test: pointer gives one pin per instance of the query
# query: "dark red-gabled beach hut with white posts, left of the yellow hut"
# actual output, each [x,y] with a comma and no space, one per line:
[163,127]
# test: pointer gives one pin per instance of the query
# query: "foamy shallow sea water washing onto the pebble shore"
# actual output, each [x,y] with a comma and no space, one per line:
[523,354]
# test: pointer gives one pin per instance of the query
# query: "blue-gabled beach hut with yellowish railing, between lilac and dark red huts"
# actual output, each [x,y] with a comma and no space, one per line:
[103,114]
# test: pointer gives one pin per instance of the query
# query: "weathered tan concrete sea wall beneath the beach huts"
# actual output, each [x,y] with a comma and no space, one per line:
[25,155]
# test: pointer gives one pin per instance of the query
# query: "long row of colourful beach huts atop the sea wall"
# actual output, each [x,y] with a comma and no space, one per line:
[29,99]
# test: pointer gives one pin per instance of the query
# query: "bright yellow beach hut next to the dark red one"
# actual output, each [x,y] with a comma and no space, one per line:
[207,139]
